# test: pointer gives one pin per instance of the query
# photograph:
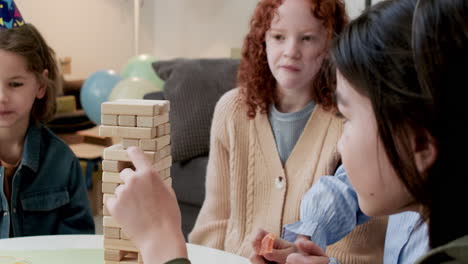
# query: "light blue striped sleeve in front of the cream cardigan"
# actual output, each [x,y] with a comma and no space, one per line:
[329,211]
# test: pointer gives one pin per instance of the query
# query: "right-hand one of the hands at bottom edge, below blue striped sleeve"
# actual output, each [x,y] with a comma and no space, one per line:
[309,253]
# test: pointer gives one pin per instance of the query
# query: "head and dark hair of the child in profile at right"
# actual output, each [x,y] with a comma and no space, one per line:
[410,128]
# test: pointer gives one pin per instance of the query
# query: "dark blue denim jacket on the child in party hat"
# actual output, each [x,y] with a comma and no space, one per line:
[48,193]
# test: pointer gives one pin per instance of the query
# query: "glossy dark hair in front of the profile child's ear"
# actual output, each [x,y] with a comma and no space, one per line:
[374,55]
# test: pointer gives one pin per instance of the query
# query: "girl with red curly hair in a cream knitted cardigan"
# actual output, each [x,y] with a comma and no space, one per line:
[275,136]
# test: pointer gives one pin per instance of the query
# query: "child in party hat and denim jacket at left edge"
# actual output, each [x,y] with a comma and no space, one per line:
[42,190]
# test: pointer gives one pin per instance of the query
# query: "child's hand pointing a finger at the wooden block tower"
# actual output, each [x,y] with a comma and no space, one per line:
[147,210]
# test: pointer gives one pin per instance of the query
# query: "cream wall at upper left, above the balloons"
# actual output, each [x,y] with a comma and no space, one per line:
[96,34]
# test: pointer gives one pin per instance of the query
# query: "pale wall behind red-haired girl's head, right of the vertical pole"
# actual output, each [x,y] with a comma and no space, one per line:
[207,28]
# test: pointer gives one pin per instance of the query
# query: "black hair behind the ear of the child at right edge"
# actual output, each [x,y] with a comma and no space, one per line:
[440,45]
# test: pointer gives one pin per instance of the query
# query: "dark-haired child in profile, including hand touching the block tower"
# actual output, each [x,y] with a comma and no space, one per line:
[406,130]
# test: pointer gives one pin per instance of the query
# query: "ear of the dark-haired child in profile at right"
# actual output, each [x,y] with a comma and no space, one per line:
[425,151]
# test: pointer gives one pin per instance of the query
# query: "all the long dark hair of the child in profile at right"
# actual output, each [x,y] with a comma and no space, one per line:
[422,94]
